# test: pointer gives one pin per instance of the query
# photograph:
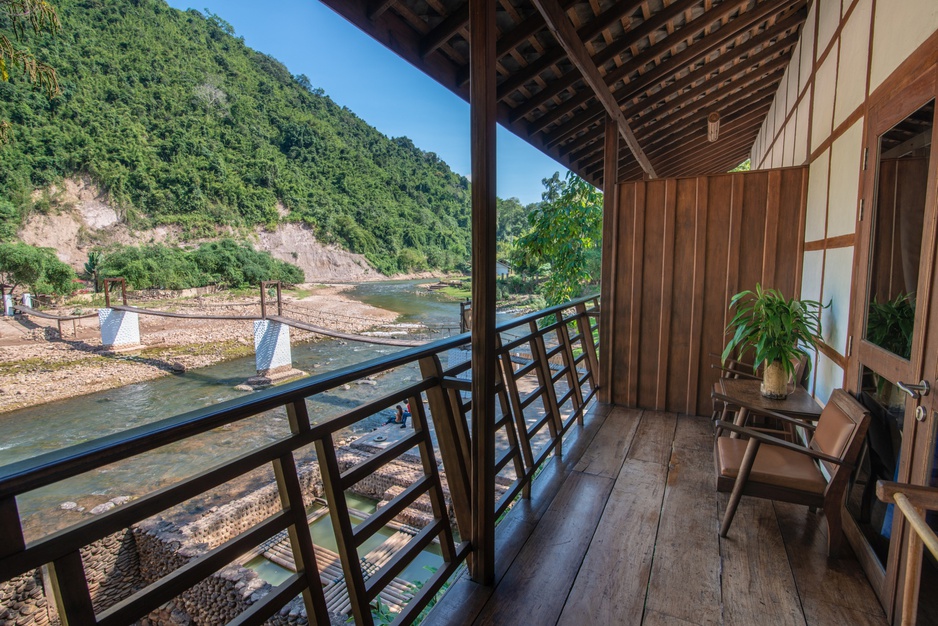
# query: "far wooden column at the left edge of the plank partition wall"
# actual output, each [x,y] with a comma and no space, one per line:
[610,232]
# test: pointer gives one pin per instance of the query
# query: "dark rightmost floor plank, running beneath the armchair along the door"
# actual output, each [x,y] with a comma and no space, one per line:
[825,585]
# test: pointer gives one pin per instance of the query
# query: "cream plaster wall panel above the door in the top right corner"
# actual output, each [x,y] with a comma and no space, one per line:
[899,27]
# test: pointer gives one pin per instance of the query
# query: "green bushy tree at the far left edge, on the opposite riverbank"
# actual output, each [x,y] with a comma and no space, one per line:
[36,268]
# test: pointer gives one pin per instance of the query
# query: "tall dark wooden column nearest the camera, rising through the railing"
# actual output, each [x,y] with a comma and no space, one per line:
[482,101]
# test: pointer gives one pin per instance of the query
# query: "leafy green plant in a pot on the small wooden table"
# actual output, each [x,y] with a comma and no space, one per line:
[778,330]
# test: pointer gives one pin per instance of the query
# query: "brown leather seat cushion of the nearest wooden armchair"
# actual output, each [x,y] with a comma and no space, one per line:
[773,466]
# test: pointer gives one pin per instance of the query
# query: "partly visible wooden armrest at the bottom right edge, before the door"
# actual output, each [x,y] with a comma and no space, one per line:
[912,501]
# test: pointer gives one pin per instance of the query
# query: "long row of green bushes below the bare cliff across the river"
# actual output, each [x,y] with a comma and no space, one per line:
[225,262]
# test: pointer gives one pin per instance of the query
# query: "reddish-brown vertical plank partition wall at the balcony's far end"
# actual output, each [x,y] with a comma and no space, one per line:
[681,249]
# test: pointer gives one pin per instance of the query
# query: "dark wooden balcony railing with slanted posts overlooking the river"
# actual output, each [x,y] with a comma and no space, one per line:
[533,393]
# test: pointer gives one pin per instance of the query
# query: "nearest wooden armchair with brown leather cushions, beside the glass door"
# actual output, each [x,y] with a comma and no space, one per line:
[767,467]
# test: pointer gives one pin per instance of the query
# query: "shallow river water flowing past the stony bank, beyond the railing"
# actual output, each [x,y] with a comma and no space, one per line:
[28,432]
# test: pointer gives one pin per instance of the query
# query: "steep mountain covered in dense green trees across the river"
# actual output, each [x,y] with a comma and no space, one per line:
[181,123]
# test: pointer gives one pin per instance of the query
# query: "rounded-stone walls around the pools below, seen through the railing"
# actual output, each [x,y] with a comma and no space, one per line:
[124,562]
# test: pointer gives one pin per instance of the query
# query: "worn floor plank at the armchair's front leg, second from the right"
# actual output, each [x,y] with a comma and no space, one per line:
[757,577]
